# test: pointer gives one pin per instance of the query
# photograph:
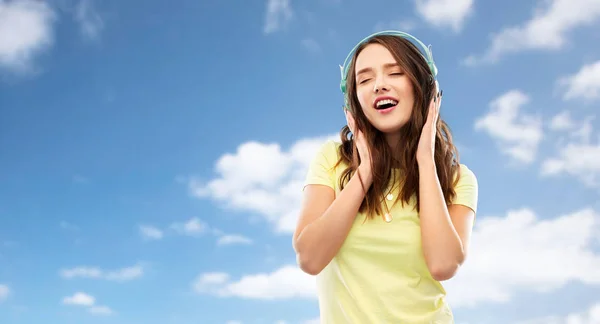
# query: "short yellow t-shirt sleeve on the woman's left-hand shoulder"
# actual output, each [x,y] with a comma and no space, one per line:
[321,169]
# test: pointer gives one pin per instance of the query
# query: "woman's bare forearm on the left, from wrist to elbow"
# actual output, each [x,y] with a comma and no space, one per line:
[320,240]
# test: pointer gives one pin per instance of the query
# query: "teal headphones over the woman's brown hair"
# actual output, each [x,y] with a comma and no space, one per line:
[424,50]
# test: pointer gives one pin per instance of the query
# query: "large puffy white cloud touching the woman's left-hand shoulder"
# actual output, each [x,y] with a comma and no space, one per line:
[264,179]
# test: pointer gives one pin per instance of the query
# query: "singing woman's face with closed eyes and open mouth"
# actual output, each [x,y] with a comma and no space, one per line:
[383,89]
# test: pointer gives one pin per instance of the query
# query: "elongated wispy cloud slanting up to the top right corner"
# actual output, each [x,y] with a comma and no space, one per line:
[548,29]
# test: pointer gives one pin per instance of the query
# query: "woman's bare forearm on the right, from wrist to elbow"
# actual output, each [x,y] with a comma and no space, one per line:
[441,243]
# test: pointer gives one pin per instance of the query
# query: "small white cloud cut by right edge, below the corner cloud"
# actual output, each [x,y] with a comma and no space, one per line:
[584,85]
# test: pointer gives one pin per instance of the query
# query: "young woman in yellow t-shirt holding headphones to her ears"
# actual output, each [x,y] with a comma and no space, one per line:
[388,212]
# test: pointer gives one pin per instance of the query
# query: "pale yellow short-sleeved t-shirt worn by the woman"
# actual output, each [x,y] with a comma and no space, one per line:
[379,275]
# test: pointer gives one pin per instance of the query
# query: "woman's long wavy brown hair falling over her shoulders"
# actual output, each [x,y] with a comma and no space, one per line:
[403,156]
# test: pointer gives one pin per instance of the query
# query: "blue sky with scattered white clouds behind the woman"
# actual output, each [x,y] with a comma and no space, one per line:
[152,154]
